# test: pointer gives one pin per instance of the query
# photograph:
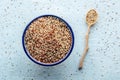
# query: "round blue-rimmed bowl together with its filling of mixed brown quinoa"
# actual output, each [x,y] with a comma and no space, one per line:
[48,40]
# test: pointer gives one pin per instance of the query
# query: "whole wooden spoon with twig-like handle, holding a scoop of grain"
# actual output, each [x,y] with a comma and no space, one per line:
[91,19]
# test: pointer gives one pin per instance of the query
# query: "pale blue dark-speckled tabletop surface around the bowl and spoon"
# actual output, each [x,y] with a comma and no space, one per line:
[102,61]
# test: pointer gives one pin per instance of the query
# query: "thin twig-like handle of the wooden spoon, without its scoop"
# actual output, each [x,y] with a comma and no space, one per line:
[86,49]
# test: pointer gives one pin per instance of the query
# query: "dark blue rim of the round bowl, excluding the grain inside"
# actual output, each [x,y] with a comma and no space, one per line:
[46,64]
